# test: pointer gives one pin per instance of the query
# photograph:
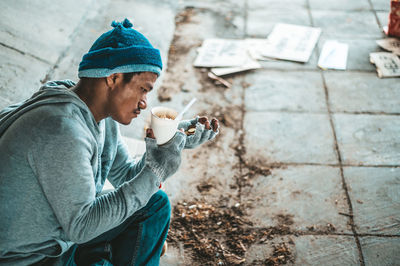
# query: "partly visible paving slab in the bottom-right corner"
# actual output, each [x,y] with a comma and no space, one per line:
[382,251]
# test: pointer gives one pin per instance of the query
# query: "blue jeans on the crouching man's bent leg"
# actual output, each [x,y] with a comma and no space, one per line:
[137,241]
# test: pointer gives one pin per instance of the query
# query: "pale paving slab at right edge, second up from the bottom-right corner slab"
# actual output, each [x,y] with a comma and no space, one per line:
[368,139]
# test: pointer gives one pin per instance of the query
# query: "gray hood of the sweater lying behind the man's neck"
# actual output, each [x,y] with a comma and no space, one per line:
[53,92]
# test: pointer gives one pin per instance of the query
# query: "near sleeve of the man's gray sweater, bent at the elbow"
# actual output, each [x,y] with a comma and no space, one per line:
[63,159]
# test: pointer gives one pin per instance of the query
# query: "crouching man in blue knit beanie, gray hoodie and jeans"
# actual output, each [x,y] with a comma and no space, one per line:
[58,147]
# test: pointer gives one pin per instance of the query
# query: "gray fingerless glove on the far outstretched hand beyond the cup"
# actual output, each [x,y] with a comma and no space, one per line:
[201,134]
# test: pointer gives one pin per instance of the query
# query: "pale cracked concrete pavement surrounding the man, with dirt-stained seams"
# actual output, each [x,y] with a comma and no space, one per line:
[329,139]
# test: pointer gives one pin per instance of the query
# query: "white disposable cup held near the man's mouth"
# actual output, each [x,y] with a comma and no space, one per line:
[163,124]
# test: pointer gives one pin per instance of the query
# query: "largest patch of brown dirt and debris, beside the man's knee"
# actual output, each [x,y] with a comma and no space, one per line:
[214,233]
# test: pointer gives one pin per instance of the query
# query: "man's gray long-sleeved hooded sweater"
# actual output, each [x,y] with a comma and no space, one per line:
[54,159]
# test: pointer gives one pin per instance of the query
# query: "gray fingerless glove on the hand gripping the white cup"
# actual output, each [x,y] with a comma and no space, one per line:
[164,160]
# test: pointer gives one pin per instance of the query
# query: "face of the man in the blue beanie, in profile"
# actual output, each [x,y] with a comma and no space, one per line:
[127,99]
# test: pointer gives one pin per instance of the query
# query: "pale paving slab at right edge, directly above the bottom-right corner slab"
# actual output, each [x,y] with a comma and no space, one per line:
[374,193]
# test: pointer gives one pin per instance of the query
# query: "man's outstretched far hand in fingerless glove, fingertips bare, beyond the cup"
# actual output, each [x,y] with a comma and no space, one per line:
[203,130]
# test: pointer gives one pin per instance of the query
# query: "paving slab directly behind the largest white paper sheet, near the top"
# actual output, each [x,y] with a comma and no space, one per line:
[261,21]
